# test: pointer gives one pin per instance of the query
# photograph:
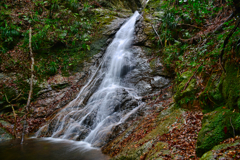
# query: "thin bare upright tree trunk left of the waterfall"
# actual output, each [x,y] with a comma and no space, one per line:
[31,86]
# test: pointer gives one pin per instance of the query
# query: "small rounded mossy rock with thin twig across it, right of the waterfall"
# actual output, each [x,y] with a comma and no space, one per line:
[182,96]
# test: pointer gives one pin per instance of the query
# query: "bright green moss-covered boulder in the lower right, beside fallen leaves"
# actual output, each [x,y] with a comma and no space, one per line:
[217,126]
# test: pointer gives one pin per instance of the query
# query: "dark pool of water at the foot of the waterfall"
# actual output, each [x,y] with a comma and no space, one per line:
[49,149]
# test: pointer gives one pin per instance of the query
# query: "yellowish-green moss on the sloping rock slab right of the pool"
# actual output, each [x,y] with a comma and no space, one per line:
[165,119]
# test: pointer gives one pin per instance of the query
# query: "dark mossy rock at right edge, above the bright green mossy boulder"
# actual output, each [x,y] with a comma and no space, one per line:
[224,91]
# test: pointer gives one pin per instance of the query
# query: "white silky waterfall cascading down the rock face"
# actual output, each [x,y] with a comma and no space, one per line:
[91,116]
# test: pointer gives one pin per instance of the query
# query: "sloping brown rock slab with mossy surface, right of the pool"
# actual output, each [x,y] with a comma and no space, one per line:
[140,137]
